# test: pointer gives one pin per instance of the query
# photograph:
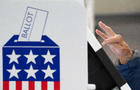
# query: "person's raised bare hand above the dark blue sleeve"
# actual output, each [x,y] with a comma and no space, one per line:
[115,42]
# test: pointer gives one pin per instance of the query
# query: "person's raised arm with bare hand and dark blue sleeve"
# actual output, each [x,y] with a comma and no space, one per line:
[130,59]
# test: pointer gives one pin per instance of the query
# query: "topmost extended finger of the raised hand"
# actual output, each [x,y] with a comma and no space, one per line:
[106,28]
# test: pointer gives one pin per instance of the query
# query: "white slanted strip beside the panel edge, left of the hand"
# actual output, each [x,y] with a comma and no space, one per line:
[93,41]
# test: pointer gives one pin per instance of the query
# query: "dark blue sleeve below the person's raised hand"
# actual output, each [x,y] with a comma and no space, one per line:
[131,71]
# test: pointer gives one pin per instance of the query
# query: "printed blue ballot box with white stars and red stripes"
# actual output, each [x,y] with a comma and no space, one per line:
[31,65]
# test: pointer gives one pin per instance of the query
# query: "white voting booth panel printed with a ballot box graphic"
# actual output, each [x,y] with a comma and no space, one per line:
[43,45]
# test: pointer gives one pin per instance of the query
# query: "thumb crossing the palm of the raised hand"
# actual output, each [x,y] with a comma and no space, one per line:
[115,39]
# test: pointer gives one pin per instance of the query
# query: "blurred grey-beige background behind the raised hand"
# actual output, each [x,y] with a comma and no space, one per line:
[122,15]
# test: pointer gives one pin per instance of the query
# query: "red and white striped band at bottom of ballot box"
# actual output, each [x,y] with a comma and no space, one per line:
[31,85]
